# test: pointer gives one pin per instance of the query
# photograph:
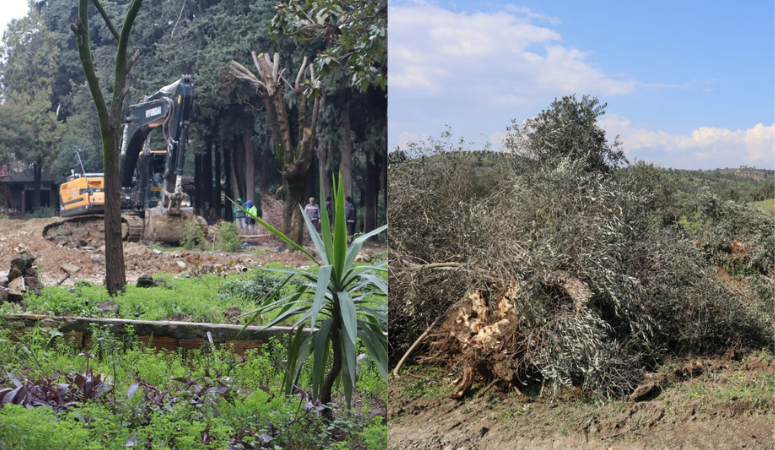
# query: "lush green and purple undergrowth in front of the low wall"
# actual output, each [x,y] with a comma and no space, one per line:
[209,399]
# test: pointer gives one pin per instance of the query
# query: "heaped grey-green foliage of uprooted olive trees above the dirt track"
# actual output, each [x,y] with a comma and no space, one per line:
[492,219]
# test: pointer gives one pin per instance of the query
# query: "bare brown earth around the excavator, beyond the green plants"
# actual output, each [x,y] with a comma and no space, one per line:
[18,236]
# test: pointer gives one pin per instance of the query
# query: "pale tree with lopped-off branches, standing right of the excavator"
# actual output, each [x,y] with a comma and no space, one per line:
[295,154]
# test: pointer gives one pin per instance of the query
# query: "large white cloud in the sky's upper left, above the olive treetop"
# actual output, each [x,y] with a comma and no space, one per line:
[501,58]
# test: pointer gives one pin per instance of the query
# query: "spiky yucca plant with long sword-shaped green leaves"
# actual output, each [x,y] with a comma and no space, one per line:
[335,305]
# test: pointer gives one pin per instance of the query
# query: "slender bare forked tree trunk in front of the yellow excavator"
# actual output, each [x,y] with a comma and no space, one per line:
[110,119]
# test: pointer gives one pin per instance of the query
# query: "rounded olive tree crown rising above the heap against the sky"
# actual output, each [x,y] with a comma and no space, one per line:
[568,129]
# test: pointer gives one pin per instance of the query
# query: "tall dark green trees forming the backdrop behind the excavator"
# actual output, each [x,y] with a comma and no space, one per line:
[47,113]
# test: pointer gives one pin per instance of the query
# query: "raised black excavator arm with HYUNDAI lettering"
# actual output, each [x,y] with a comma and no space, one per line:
[170,108]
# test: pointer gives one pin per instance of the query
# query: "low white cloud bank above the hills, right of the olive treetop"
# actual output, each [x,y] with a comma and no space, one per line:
[724,147]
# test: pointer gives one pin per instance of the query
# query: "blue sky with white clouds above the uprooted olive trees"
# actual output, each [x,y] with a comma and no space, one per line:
[689,84]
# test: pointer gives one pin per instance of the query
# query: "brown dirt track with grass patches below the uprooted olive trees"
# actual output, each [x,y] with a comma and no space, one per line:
[724,403]
